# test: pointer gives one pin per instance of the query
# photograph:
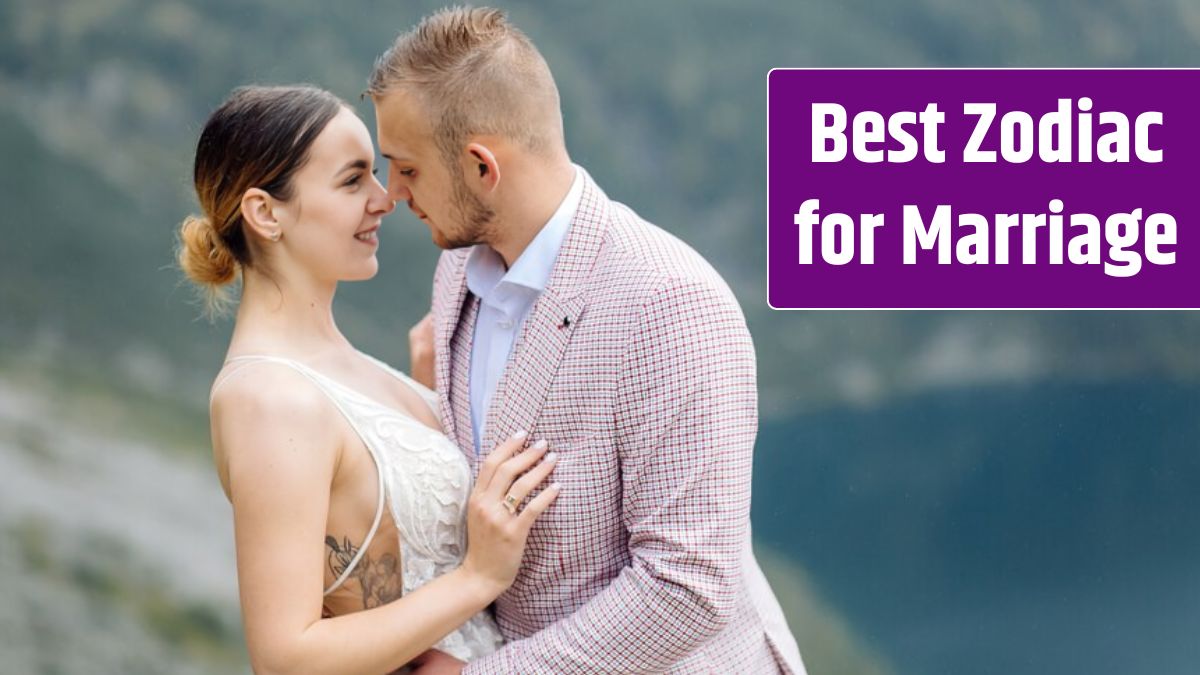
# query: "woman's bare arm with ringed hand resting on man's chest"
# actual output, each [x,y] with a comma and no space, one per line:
[279,443]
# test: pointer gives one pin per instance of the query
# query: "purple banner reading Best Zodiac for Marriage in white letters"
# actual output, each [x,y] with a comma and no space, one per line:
[983,189]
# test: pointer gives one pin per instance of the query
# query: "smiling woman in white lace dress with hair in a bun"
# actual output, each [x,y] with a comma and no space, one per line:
[313,440]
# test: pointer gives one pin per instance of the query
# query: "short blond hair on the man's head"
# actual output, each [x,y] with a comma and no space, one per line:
[476,74]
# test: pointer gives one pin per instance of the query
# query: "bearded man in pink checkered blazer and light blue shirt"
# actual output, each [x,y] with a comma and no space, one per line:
[562,313]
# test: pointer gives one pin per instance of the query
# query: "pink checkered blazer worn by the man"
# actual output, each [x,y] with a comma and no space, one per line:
[635,365]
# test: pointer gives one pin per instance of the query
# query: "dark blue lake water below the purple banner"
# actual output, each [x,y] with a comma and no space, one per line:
[1017,530]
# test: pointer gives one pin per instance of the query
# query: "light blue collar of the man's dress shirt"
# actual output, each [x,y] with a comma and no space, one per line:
[485,267]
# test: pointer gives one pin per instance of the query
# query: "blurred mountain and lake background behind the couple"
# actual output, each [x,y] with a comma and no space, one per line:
[957,493]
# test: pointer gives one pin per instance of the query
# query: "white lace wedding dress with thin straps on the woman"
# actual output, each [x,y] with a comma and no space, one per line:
[425,481]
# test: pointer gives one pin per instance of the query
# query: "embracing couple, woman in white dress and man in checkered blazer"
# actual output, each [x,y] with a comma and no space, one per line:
[563,482]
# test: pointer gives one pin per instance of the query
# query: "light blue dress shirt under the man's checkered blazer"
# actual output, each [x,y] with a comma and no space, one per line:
[506,297]
